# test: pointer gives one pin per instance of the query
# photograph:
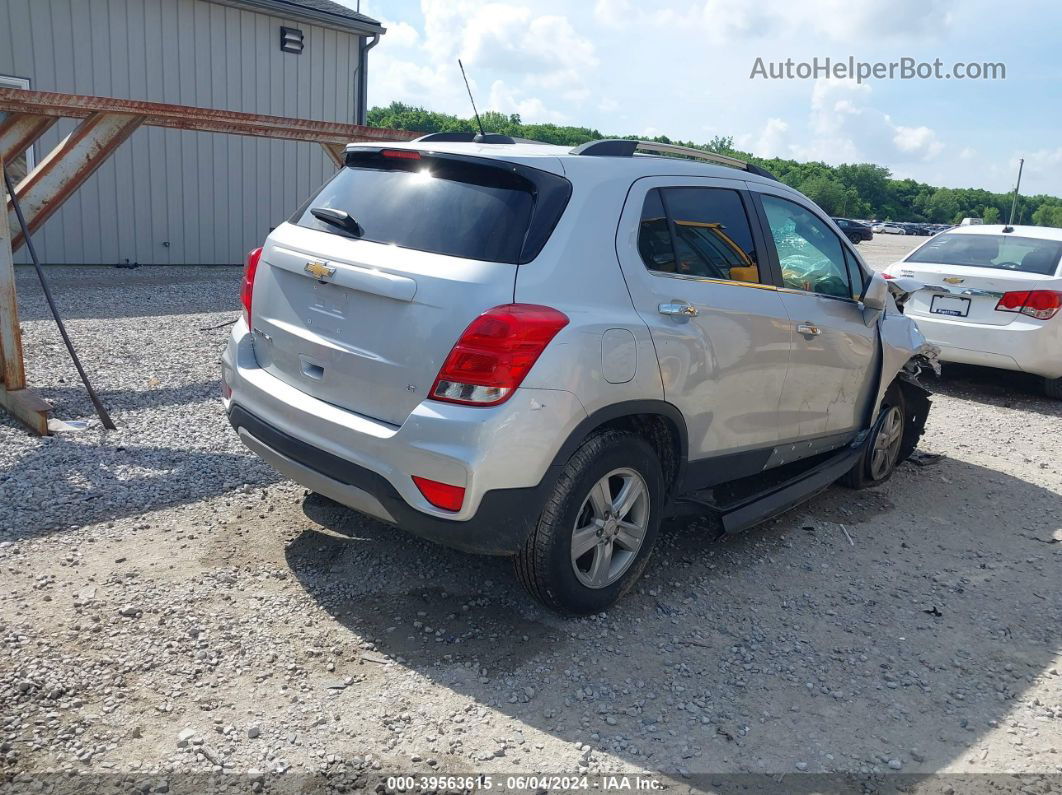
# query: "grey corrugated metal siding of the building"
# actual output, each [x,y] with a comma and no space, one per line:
[211,197]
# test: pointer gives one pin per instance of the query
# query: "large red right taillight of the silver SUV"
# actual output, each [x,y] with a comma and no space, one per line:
[495,353]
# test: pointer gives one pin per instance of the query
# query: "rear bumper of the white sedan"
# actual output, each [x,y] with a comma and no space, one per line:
[1023,345]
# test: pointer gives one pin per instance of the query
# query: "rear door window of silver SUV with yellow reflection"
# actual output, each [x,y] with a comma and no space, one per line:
[705,233]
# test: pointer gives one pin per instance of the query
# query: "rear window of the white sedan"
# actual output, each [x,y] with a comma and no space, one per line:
[1002,252]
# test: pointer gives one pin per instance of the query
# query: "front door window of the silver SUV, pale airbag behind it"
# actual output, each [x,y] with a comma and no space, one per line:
[811,255]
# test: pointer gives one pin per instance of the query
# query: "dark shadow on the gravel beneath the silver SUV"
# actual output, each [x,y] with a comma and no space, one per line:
[899,624]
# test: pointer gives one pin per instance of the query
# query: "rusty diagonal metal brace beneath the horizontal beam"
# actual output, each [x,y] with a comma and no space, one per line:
[68,166]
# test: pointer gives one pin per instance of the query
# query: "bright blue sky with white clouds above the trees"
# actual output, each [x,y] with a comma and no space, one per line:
[684,70]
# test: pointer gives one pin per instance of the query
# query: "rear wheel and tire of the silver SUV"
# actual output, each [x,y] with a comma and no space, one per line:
[598,528]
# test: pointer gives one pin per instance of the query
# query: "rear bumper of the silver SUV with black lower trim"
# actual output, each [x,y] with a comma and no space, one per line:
[502,456]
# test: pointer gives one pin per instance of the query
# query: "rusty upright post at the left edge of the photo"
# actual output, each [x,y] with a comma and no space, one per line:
[22,403]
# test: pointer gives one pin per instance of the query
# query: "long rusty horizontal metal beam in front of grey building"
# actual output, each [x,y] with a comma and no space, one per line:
[202,119]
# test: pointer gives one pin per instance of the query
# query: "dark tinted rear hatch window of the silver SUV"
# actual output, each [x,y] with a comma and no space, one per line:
[460,206]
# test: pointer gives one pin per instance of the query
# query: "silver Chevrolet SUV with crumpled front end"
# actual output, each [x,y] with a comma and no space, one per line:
[521,350]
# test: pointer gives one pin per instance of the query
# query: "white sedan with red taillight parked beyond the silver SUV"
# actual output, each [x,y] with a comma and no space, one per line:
[992,298]
